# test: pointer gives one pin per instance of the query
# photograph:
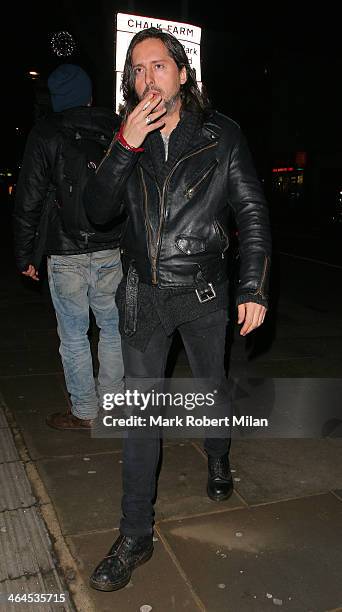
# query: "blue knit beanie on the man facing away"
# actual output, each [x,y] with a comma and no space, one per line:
[69,86]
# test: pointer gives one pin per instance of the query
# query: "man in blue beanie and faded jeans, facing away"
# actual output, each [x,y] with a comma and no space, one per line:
[83,269]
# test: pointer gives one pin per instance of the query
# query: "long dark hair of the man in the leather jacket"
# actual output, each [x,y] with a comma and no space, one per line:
[193,99]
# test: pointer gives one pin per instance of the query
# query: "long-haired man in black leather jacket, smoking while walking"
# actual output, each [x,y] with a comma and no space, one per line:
[178,168]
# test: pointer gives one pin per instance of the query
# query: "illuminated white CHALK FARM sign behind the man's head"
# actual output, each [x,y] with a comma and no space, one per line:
[127,25]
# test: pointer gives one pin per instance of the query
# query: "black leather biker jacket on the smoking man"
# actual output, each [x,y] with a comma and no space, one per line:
[213,176]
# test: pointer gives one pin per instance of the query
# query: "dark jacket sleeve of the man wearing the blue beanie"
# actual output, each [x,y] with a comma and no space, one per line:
[31,193]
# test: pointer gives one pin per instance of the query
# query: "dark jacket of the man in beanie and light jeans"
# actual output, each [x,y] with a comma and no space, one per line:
[37,223]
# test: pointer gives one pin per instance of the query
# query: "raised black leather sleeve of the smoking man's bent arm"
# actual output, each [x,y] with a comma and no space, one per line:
[104,192]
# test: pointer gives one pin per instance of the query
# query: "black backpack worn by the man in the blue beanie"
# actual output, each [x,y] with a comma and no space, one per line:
[79,154]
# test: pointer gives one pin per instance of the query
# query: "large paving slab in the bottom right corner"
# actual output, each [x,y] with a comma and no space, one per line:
[284,554]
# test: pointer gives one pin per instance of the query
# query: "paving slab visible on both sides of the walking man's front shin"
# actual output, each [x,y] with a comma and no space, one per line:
[87,494]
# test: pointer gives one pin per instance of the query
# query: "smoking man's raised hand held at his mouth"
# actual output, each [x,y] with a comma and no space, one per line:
[143,120]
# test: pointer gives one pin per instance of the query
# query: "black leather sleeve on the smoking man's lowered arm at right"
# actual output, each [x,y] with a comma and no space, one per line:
[247,199]
